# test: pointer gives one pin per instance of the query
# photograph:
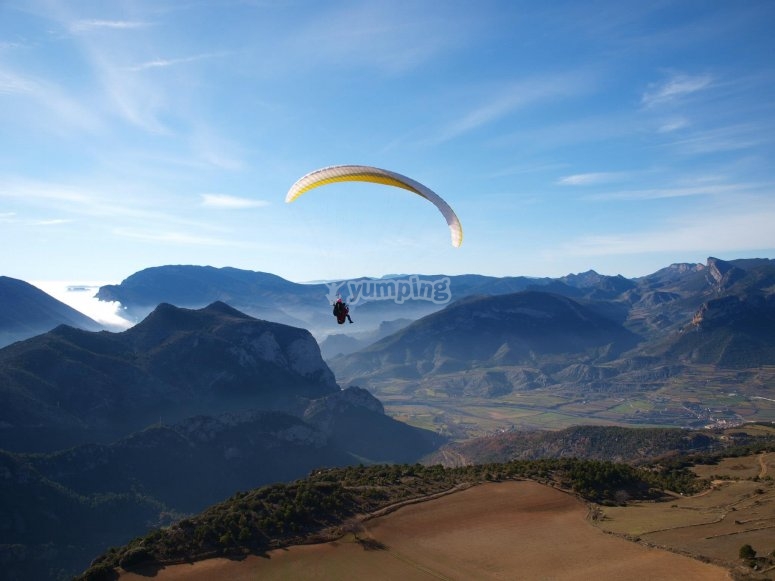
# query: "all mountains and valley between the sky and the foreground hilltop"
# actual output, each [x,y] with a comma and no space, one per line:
[199,398]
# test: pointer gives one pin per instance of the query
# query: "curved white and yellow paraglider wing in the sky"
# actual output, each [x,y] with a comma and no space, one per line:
[362,173]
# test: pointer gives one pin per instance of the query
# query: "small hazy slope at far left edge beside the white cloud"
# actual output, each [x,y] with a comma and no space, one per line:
[26,311]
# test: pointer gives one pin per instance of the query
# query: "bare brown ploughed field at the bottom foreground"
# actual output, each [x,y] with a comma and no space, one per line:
[508,530]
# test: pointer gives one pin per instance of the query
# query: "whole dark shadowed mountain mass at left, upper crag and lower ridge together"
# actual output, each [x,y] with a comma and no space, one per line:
[103,435]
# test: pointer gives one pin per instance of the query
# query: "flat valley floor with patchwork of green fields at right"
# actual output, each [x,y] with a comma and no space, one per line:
[677,405]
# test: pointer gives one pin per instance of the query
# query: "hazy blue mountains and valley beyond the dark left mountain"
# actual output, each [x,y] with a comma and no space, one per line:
[504,335]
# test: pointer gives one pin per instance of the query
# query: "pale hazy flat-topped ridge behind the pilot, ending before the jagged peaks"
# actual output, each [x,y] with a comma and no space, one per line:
[273,298]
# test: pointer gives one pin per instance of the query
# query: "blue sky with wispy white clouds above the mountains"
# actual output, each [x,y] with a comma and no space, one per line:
[619,136]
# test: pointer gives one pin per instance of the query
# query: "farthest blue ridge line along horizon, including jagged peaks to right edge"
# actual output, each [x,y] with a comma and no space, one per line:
[648,305]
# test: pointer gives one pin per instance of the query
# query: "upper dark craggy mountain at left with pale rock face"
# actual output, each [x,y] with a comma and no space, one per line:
[69,385]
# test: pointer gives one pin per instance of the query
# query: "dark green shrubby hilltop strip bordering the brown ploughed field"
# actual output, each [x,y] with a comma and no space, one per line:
[331,503]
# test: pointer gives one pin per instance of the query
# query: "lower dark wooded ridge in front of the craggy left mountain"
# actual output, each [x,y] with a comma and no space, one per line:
[61,509]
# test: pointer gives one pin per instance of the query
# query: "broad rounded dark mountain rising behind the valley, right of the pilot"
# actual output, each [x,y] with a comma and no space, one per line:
[529,328]
